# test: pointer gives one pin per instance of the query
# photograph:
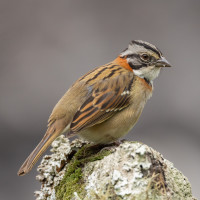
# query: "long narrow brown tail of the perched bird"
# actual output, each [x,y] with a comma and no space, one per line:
[46,141]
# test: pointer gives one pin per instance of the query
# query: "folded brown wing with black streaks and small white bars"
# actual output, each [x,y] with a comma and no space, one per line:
[106,98]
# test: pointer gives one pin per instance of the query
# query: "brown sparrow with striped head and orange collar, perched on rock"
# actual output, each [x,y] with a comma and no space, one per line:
[104,104]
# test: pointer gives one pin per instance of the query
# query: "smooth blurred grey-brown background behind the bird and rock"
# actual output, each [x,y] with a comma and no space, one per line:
[46,45]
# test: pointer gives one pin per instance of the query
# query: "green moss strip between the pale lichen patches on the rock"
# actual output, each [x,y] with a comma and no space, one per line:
[72,180]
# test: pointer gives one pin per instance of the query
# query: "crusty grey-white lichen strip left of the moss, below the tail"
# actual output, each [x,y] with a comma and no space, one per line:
[52,168]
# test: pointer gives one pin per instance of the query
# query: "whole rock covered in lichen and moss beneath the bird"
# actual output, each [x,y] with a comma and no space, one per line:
[82,171]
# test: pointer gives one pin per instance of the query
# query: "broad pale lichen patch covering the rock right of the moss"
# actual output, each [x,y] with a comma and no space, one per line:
[130,173]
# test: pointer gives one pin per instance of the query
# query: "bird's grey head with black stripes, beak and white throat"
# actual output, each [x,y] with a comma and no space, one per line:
[145,59]
